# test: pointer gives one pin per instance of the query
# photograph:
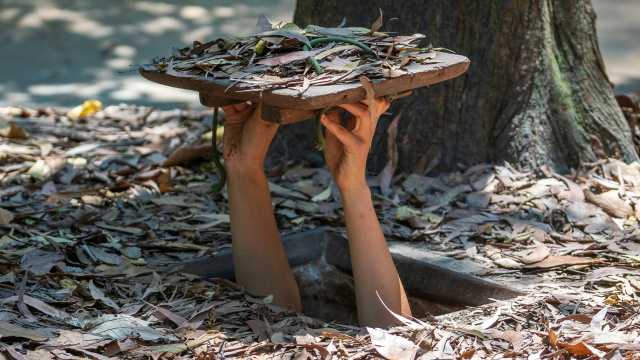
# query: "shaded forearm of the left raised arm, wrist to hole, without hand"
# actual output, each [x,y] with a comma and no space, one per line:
[259,259]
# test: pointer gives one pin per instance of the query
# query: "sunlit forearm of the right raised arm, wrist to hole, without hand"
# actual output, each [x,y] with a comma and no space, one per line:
[373,268]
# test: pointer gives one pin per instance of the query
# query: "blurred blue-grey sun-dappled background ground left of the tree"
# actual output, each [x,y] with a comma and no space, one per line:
[63,52]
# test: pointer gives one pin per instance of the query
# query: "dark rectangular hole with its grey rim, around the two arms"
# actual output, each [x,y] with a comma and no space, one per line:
[322,267]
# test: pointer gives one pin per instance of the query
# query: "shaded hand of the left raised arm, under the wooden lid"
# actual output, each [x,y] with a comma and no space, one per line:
[246,136]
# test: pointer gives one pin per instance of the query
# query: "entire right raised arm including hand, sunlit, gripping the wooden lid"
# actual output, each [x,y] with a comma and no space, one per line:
[346,154]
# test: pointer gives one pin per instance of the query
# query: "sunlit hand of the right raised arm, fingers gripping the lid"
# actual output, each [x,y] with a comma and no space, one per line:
[347,147]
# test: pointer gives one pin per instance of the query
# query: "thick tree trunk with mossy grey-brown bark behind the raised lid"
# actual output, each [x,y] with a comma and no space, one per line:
[536,92]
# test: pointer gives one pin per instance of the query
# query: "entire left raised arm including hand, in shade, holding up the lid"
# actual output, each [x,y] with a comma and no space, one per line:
[258,256]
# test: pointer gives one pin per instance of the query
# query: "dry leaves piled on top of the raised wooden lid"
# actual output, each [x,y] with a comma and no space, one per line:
[285,57]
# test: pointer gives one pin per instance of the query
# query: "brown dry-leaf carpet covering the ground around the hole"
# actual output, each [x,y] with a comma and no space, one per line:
[94,211]
